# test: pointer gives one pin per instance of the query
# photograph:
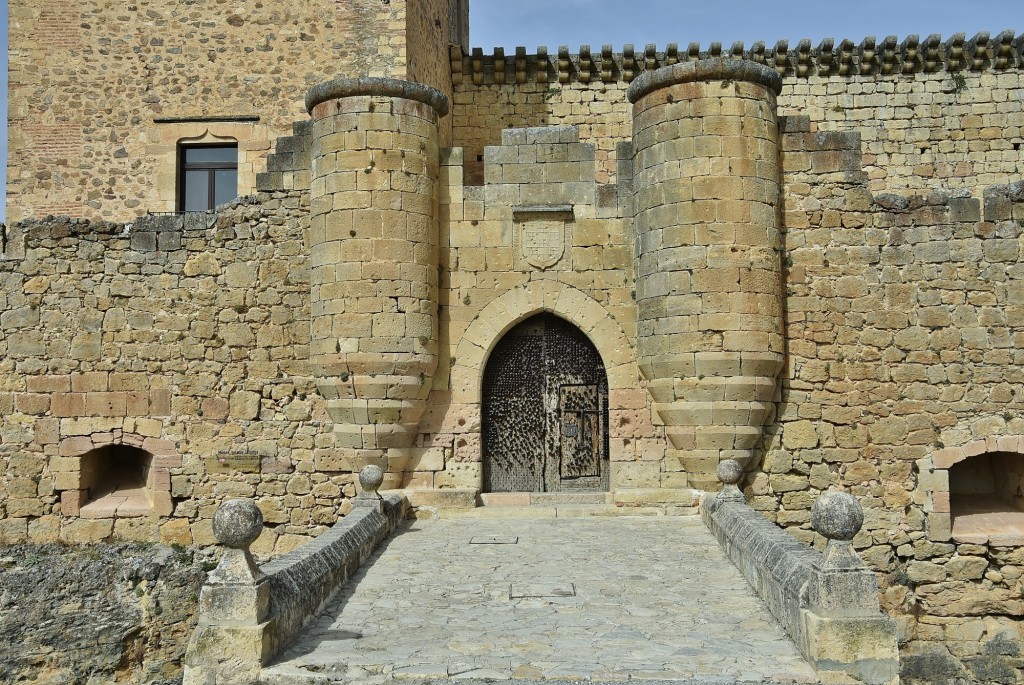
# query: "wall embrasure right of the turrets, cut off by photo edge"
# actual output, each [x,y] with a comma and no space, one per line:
[987,496]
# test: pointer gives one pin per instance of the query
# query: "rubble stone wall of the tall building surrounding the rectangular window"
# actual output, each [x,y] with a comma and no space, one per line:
[102,93]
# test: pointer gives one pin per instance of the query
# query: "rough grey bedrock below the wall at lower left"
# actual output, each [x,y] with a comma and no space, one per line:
[112,614]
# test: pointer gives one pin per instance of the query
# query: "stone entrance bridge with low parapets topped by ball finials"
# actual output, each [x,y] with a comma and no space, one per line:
[553,594]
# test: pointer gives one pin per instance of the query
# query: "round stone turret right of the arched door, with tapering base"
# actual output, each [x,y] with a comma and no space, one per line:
[709,272]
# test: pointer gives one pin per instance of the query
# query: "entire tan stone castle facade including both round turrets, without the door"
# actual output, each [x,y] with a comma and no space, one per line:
[897,261]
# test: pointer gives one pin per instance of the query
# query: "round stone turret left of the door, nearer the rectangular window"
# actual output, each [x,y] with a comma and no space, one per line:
[375,258]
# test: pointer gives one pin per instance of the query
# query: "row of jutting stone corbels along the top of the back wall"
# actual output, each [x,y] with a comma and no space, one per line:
[871,57]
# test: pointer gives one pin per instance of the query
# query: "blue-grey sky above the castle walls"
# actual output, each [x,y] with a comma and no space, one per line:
[553,23]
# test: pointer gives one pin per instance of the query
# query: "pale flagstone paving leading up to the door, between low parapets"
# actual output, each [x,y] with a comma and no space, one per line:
[613,600]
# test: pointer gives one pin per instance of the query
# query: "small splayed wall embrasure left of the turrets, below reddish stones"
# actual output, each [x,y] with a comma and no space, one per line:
[118,479]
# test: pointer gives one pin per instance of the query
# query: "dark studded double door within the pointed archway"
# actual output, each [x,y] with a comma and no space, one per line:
[545,411]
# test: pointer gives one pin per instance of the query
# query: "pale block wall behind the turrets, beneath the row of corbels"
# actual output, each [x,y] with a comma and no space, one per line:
[946,126]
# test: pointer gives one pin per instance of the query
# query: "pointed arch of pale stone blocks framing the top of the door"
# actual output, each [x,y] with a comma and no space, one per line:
[518,305]
